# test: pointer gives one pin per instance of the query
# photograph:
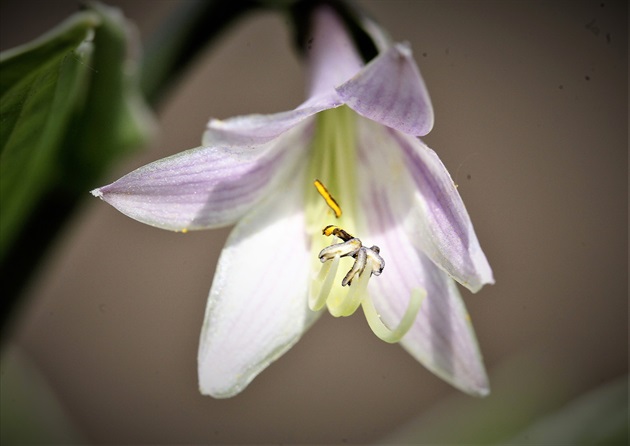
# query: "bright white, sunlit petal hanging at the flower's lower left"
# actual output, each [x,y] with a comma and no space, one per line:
[257,308]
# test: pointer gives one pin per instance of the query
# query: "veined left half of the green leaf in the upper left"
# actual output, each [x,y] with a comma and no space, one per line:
[39,88]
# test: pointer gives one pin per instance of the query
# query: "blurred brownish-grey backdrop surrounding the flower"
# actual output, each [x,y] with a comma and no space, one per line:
[531,120]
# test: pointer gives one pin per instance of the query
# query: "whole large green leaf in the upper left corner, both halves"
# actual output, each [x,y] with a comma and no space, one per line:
[70,106]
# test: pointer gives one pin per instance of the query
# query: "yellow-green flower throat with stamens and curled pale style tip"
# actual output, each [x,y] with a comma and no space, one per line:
[333,158]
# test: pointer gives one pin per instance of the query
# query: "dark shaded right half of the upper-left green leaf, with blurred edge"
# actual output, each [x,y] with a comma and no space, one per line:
[113,119]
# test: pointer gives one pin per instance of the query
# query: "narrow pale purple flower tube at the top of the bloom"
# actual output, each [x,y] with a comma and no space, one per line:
[331,55]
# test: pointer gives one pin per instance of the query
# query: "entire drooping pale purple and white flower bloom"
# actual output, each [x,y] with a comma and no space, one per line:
[402,237]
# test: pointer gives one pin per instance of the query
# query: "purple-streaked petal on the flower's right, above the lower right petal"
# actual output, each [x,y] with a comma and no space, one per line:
[423,196]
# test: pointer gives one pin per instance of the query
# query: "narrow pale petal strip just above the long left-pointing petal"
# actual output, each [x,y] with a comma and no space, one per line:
[254,130]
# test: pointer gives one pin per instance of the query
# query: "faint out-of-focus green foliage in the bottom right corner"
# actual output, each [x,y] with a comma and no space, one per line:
[533,402]
